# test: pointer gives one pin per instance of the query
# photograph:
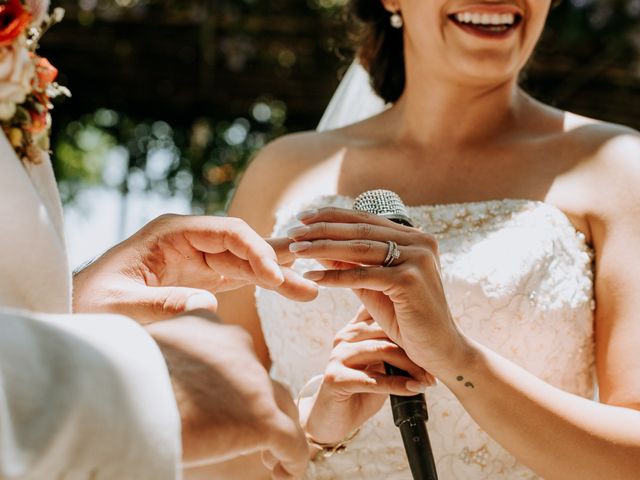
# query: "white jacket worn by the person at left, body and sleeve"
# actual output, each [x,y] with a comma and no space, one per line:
[81,396]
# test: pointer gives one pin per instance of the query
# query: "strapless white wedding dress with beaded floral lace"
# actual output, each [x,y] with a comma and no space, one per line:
[518,279]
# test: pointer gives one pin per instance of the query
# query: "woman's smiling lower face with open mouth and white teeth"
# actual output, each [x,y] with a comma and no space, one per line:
[477,41]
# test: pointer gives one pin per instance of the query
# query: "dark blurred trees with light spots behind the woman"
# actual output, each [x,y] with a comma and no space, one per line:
[177,95]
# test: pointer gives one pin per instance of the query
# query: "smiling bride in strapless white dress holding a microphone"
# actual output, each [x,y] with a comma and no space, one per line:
[520,205]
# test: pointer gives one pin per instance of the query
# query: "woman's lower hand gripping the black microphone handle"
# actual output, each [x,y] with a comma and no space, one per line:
[354,386]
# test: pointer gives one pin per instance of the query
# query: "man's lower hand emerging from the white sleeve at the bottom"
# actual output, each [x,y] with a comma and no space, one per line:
[228,404]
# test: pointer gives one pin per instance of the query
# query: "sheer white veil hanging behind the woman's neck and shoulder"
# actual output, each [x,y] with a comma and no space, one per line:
[353,101]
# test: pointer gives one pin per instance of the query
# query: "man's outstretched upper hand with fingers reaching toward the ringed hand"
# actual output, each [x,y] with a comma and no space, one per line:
[177,263]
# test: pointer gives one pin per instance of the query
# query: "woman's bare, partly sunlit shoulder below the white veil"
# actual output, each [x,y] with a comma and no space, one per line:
[292,168]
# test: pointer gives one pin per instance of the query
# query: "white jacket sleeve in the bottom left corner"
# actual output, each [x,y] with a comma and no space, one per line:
[84,397]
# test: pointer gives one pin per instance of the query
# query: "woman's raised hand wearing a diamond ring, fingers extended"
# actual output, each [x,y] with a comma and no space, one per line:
[407,299]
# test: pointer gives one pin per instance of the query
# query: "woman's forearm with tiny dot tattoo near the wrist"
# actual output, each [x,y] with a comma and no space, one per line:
[557,434]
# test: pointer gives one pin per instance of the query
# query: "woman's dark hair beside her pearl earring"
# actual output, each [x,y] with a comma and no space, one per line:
[380,47]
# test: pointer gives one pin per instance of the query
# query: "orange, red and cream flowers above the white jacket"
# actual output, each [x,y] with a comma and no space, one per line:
[27,81]
